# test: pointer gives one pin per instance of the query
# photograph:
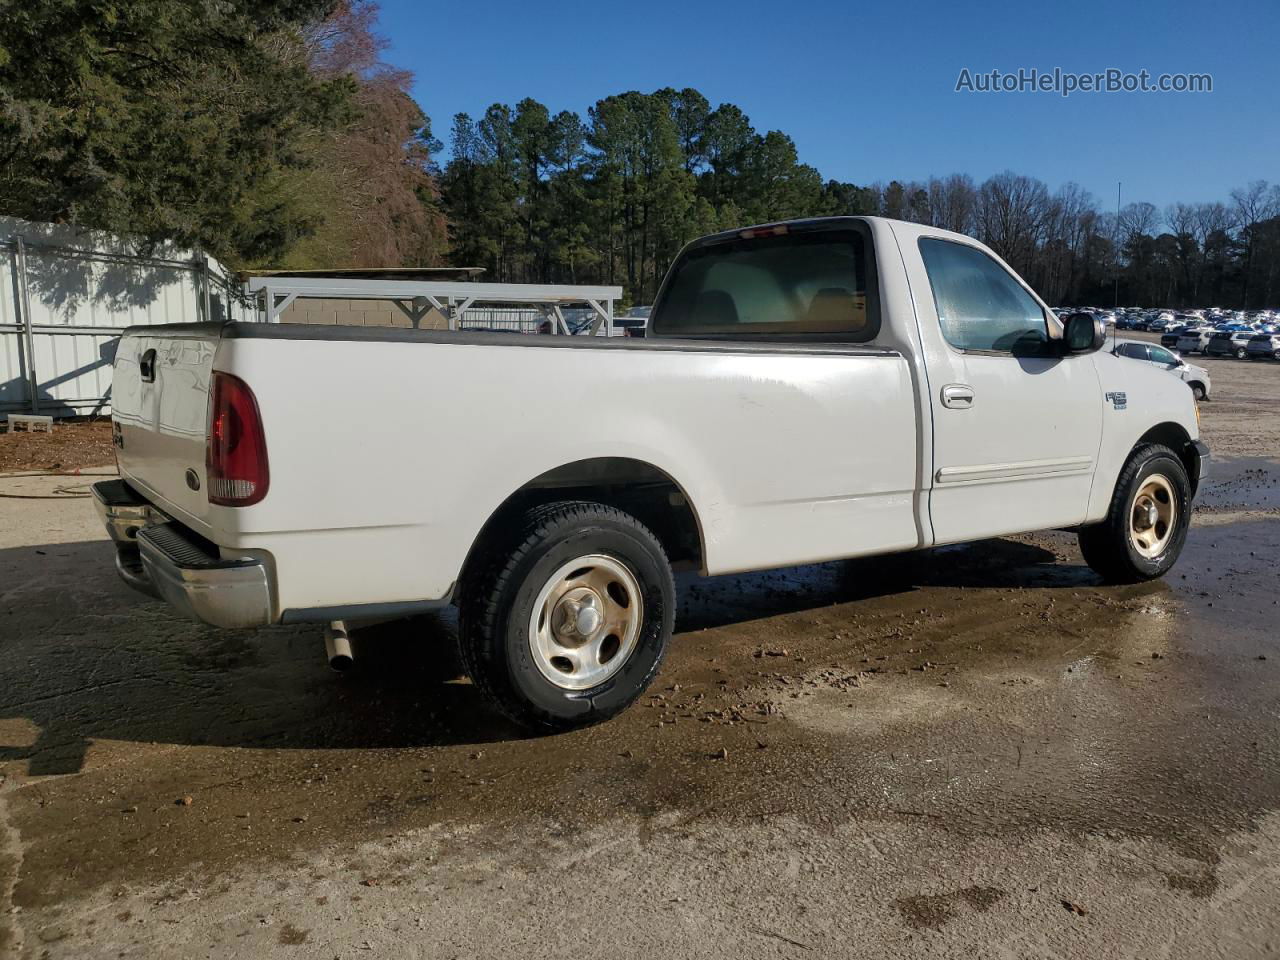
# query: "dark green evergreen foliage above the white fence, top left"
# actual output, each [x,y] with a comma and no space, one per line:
[164,120]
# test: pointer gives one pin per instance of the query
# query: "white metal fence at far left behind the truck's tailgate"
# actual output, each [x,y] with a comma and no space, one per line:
[67,295]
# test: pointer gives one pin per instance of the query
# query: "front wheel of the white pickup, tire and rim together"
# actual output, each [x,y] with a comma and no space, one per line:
[1146,525]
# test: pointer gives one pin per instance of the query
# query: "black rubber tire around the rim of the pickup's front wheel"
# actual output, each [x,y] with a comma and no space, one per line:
[1109,548]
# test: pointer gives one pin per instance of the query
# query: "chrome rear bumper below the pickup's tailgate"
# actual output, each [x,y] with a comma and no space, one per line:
[164,560]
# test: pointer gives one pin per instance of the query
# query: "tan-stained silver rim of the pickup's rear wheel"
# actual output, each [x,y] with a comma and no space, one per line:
[586,621]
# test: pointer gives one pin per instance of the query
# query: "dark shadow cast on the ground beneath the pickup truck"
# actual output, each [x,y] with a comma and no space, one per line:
[88,660]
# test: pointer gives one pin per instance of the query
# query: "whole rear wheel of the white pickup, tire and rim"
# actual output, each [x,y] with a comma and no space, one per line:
[565,621]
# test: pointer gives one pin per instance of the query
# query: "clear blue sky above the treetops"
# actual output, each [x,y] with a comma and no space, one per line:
[868,90]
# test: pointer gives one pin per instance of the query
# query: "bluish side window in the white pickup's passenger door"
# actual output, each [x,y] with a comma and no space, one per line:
[981,307]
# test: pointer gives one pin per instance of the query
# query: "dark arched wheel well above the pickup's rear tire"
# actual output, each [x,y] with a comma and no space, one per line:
[632,486]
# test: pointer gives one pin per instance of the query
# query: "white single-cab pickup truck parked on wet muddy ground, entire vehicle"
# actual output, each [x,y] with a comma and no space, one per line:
[810,391]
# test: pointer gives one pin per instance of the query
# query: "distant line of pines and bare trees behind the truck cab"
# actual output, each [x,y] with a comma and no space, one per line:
[614,196]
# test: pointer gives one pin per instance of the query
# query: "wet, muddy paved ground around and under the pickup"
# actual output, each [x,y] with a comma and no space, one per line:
[976,752]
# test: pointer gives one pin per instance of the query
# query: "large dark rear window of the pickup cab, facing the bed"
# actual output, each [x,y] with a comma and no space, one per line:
[776,284]
